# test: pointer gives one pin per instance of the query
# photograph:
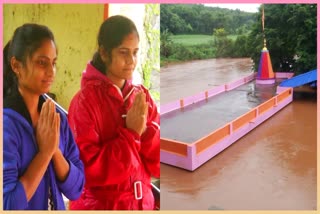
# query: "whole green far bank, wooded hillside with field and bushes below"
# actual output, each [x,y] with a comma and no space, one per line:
[210,32]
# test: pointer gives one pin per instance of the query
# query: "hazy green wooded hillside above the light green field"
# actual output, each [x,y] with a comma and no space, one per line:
[199,19]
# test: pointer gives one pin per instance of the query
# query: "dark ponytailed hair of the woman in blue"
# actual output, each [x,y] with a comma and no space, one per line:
[25,41]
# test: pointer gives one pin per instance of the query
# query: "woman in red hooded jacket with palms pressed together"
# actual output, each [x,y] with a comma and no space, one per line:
[116,125]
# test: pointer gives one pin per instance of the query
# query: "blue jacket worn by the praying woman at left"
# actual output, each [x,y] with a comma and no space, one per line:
[20,147]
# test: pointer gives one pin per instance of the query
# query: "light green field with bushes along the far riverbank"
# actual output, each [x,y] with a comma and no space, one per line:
[190,47]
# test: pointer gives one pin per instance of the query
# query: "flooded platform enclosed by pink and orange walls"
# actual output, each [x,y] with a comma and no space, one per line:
[197,128]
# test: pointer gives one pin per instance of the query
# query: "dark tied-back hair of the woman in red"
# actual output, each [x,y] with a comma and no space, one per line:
[111,34]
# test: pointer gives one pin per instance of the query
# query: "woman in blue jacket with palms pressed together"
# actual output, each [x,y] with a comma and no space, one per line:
[40,158]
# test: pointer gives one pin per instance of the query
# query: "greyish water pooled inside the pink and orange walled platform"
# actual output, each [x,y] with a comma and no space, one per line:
[206,116]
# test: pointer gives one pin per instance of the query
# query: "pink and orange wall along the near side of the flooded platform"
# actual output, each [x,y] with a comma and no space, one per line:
[191,156]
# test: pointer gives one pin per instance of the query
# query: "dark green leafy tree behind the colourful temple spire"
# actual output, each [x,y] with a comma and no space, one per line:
[291,33]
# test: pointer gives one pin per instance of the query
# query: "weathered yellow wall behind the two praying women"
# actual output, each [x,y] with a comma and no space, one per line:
[75,27]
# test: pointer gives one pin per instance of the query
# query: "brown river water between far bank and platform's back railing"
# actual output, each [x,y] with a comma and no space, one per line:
[185,79]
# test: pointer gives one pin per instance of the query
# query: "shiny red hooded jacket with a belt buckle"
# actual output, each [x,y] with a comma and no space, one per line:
[118,162]
